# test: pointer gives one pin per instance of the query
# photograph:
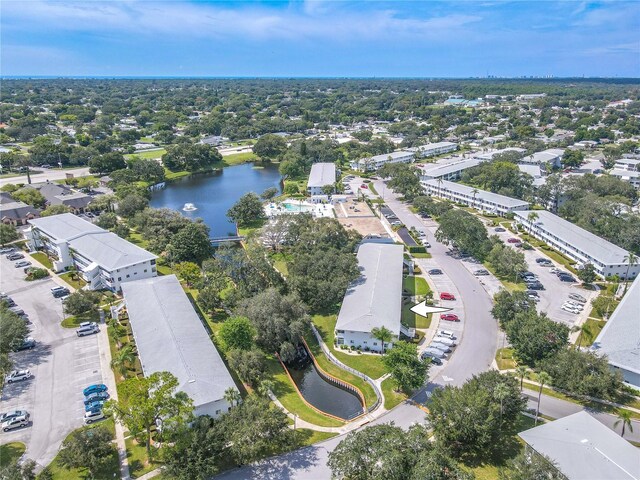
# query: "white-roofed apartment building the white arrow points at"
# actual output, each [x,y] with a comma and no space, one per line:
[373,300]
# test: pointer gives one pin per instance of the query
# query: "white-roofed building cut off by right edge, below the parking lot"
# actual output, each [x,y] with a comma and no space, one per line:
[619,340]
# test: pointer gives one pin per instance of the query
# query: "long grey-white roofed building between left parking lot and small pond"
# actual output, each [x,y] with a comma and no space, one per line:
[170,337]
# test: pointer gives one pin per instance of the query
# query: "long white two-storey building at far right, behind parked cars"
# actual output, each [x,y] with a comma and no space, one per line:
[578,244]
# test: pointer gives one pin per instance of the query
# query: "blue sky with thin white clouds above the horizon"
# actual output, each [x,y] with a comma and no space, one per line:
[320,38]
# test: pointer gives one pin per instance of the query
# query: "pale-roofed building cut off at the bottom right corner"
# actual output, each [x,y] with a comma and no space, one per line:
[582,448]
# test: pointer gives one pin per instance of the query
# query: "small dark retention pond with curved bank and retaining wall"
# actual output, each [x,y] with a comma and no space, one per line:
[324,395]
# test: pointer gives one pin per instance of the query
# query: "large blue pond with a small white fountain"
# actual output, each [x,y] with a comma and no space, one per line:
[213,194]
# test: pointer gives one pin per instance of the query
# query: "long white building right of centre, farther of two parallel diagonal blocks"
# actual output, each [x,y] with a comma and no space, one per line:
[480,199]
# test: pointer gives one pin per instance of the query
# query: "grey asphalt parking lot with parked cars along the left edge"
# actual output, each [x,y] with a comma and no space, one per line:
[61,364]
